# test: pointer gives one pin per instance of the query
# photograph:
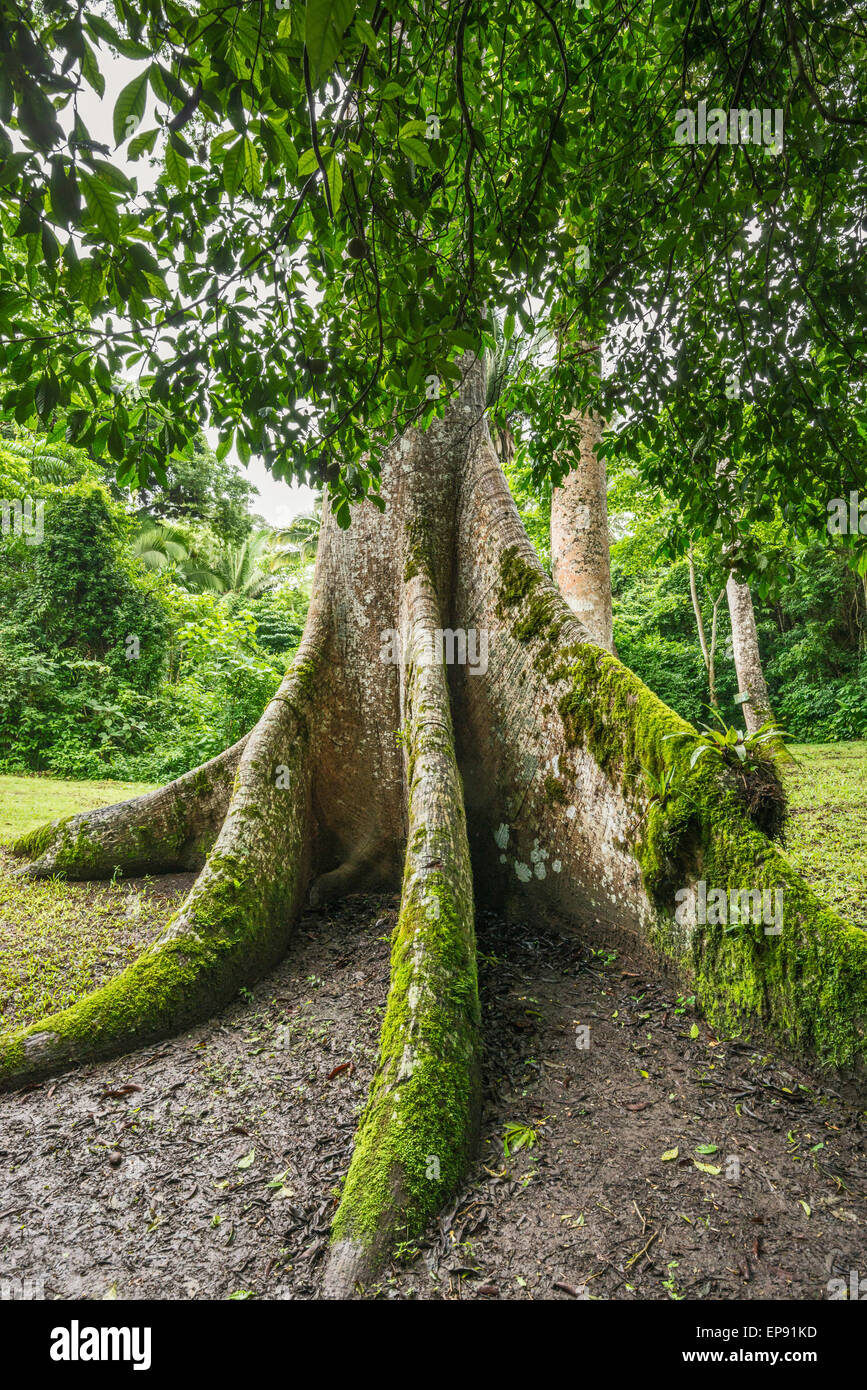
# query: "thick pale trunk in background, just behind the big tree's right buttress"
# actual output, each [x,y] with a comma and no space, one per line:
[580,539]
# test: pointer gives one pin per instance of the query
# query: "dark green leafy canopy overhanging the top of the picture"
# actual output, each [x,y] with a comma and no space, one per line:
[345,194]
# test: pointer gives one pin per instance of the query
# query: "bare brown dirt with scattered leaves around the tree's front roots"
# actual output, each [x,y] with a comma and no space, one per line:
[209,1167]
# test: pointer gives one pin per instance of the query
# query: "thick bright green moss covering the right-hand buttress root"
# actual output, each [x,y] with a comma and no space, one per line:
[808,986]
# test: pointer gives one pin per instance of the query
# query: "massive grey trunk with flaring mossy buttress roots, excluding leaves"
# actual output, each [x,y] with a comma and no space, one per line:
[523,767]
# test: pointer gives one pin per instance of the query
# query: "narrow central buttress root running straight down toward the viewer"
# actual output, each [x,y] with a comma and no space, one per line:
[422,1117]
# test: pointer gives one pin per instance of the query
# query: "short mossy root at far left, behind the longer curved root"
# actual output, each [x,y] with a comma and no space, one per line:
[165,831]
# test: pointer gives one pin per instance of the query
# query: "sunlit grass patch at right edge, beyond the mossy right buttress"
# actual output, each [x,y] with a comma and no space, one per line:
[827,833]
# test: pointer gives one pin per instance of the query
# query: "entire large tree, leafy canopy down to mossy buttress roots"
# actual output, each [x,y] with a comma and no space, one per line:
[383,177]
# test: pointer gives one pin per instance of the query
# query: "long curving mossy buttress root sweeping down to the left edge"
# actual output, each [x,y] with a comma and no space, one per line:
[234,925]
